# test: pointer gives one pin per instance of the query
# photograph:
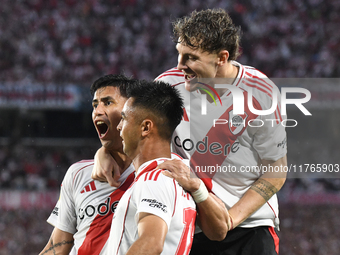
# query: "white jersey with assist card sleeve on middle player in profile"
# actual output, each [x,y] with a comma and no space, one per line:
[152,192]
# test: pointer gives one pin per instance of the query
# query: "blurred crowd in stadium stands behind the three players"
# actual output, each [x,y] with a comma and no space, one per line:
[48,47]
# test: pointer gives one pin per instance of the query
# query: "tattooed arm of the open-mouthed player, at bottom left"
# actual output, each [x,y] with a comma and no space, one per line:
[60,242]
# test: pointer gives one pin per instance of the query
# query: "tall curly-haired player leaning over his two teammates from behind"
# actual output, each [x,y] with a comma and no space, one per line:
[208,46]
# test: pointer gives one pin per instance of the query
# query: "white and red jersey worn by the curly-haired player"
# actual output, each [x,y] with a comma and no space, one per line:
[225,148]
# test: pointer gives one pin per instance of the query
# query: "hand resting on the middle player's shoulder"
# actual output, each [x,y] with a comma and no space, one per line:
[179,171]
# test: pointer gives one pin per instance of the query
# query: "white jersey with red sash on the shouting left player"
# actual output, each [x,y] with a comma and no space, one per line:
[86,207]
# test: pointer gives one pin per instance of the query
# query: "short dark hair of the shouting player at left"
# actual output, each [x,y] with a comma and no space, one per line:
[113,80]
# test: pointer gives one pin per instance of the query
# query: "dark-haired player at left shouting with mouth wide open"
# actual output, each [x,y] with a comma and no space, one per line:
[83,215]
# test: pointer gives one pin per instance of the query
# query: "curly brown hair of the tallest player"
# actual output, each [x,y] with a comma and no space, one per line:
[210,30]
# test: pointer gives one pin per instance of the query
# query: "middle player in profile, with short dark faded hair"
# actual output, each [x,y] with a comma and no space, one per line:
[155,215]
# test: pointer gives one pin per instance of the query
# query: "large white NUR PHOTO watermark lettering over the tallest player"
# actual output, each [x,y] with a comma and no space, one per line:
[244,103]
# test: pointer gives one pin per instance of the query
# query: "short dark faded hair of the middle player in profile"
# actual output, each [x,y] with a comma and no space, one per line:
[162,101]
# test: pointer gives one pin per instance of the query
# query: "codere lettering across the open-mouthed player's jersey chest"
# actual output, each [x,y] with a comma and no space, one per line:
[101,210]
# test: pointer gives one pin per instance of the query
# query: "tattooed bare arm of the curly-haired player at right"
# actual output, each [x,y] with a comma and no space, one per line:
[259,193]
